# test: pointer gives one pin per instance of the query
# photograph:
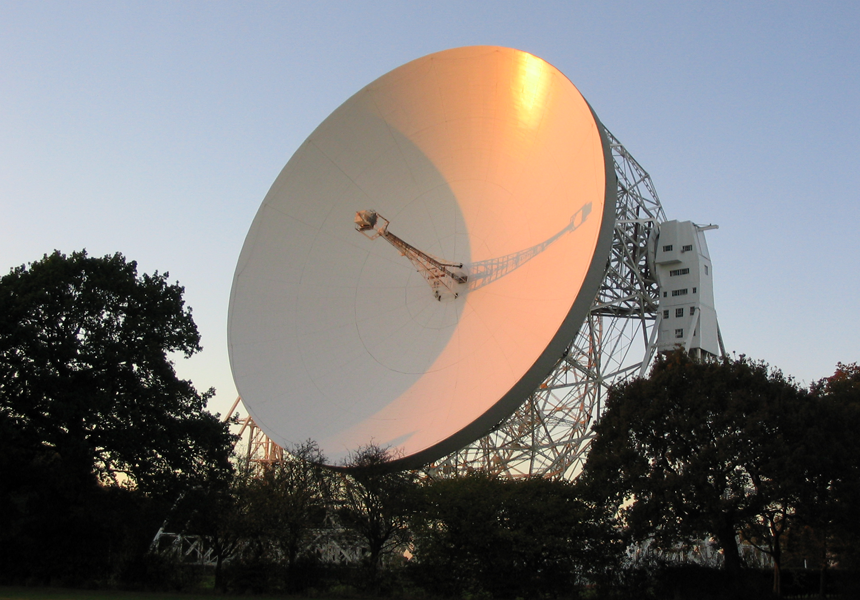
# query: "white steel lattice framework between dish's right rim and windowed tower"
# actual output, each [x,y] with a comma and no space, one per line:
[550,433]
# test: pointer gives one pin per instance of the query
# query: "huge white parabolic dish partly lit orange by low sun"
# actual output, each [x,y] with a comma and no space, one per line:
[484,156]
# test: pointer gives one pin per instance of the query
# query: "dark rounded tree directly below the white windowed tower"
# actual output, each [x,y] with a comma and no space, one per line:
[698,450]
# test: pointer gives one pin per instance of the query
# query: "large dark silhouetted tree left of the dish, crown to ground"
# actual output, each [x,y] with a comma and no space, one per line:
[93,419]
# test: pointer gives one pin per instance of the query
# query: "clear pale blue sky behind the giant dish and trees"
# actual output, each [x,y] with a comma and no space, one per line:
[155,129]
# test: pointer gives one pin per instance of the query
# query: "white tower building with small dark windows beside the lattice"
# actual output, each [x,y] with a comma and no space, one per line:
[682,266]
